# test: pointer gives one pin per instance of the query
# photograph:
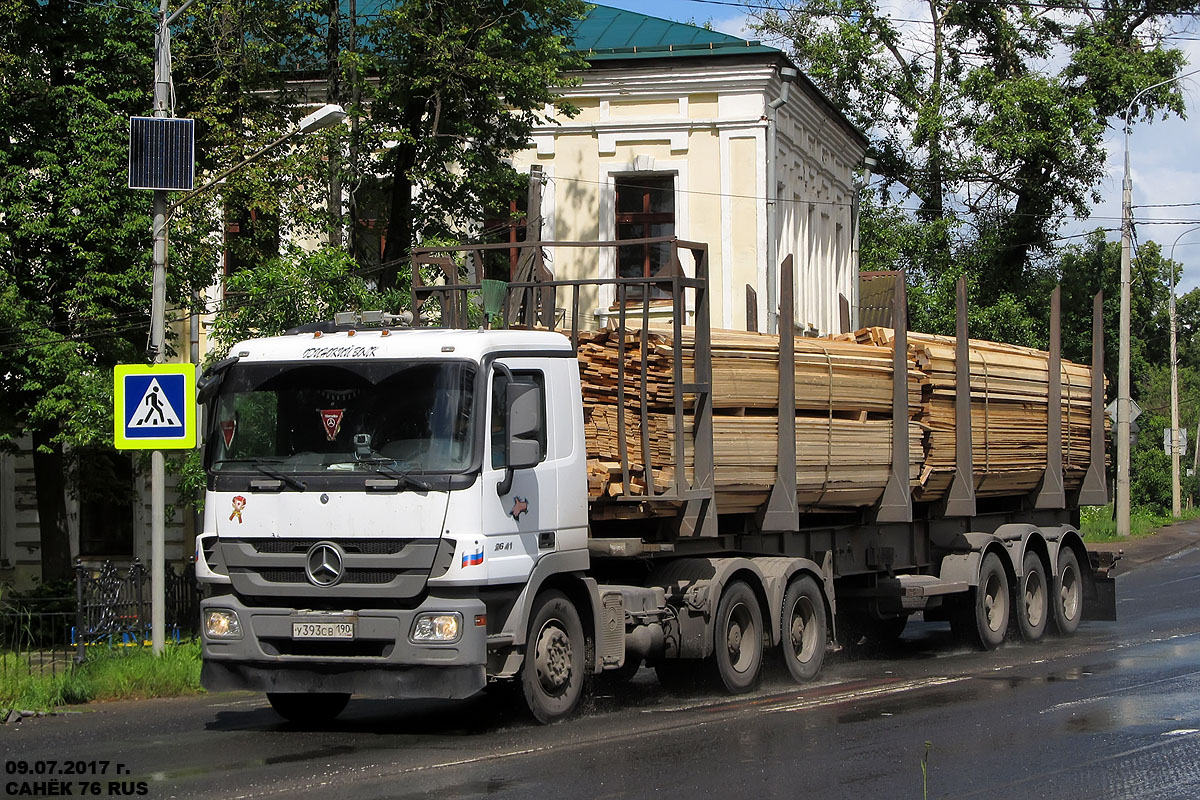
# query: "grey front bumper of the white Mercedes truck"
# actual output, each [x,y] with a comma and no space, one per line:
[382,660]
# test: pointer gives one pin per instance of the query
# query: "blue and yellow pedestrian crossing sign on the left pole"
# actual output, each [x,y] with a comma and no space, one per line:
[154,407]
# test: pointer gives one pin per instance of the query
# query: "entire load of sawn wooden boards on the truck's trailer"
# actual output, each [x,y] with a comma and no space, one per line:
[843,417]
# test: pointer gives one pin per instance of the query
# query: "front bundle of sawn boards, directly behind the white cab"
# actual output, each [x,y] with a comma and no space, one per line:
[843,417]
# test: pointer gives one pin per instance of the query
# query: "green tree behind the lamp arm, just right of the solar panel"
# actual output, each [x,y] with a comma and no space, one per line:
[235,70]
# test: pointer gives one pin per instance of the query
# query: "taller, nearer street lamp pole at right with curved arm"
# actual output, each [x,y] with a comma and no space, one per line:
[1123,501]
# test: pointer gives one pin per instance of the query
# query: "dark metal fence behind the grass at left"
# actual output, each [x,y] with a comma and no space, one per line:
[111,607]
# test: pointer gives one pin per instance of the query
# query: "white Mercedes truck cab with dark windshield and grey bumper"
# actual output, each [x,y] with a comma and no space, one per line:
[377,504]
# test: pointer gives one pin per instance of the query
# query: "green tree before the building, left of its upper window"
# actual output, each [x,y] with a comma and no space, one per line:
[457,89]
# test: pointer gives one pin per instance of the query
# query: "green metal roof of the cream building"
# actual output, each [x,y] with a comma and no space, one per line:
[610,33]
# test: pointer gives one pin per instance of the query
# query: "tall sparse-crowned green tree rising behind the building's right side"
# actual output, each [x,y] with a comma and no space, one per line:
[989,118]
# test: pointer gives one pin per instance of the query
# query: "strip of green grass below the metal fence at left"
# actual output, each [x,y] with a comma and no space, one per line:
[109,675]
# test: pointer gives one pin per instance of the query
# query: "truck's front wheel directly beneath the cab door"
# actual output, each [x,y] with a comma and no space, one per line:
[554,672]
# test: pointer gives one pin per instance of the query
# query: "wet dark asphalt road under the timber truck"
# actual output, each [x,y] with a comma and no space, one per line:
[1111,713]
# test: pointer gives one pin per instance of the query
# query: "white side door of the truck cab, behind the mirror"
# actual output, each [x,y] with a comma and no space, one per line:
[513,522]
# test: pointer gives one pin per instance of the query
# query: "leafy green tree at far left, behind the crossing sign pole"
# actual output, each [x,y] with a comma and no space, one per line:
[75,248]
